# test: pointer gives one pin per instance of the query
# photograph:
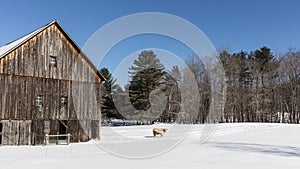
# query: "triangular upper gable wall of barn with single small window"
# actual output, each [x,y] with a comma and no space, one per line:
[33,59]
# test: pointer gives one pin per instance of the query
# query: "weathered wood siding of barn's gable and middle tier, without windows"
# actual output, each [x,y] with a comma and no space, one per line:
[26,73]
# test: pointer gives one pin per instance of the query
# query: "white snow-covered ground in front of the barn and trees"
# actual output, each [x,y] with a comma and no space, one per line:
[234,146]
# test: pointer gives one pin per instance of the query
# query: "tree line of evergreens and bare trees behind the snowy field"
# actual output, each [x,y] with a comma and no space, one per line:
[261,87]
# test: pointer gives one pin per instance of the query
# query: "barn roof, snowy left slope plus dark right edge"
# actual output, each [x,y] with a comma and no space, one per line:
[4,50]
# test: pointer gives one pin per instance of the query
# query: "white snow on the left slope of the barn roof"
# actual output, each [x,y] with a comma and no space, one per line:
[4,50]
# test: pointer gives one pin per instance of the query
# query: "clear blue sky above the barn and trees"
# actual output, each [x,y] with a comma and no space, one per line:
[234,24]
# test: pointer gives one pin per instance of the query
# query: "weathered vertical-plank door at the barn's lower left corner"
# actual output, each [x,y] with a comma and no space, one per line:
[16,132]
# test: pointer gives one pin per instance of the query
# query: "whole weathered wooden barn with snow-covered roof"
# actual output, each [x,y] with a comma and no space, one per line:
[48,87]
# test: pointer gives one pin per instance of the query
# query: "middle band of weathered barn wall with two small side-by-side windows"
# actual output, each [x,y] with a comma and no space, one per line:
[19,94]
